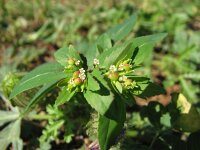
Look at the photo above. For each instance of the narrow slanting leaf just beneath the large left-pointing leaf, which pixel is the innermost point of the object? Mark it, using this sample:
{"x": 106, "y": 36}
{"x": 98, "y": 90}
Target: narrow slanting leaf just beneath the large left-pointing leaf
{"x": 44, "y": 90}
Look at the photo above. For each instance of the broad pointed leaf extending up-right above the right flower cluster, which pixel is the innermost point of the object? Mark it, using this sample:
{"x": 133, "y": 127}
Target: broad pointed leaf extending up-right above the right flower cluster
{"x": 127, "y": 50}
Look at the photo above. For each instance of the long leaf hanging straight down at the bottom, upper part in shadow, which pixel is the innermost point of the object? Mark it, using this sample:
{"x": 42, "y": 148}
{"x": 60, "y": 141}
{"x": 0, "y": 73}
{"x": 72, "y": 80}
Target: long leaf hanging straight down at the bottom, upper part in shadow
{"x": 109, "y": 130}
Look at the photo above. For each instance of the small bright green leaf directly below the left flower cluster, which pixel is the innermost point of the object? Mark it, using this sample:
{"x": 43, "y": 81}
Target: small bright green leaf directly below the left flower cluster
{"x": 64, "y": 96}
